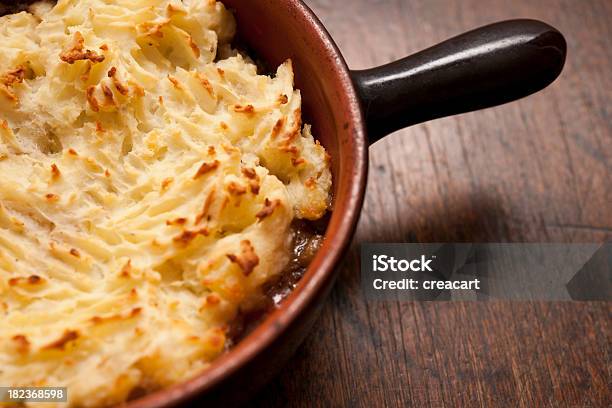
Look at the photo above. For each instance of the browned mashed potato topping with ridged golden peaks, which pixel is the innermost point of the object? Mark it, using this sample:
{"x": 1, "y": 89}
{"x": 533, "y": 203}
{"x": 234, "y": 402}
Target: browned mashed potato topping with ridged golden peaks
{"x": 148, "y": 179}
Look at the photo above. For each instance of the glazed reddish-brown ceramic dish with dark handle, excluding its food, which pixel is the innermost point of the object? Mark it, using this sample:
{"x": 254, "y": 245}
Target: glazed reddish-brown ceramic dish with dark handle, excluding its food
{"x": 485, "y": 67}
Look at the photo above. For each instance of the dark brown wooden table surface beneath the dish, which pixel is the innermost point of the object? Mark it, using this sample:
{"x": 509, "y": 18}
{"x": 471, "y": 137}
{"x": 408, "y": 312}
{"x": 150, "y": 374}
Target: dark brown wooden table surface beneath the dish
{"x": 537, "y": 170}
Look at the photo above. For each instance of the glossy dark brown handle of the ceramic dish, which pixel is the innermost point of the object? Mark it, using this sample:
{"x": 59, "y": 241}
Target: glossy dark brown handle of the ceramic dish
{"x": 485, "y": 67}
